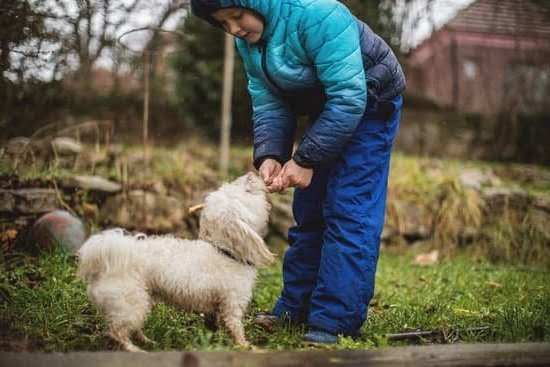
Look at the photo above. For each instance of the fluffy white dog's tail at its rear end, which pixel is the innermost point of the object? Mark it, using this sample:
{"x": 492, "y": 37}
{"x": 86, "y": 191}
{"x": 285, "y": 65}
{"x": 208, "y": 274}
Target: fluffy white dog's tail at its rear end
{"x": 107, "y": 252}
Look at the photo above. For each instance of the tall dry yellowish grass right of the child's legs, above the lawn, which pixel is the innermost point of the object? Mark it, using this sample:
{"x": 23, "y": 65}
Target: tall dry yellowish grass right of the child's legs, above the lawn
{"x": 460, "y": 217}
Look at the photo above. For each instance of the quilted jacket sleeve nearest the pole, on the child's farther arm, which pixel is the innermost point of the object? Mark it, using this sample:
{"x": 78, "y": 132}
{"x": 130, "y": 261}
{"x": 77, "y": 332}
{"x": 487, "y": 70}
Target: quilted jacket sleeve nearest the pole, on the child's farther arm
{"x": 274, "y": 124}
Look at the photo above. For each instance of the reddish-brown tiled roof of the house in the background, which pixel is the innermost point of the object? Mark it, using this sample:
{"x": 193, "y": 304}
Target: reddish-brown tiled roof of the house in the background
{"x": 517, "y": 17}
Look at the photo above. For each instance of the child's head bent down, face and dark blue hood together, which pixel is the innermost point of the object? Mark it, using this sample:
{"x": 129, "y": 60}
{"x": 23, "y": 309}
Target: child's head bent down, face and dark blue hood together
{"x": 239, "y": 18}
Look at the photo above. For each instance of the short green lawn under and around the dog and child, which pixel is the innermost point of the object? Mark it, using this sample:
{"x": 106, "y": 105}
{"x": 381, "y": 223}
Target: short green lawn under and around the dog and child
{"x": 44, "y": 307}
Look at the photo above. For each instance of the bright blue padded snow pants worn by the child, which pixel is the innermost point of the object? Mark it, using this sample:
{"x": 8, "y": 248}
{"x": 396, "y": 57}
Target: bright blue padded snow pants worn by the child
{"x": 329, "y": 268}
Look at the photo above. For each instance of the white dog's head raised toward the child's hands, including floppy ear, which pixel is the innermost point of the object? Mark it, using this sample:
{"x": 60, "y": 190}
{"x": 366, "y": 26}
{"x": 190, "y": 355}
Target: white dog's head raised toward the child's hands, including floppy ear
{"x": 236, "y": 217}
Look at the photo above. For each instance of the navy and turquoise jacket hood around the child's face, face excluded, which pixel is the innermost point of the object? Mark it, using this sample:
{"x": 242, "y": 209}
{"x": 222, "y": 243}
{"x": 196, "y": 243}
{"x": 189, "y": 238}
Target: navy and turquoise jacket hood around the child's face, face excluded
{"x": 269, "y": 11}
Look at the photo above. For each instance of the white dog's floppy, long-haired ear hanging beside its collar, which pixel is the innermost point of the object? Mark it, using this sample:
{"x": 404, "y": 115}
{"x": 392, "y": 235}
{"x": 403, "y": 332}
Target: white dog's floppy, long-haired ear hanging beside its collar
{"x": 247, "y": 244}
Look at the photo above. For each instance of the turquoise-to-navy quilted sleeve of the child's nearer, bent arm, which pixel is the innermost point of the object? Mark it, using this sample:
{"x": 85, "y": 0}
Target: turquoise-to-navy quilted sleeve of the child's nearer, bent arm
{"x": 330, "y": 37}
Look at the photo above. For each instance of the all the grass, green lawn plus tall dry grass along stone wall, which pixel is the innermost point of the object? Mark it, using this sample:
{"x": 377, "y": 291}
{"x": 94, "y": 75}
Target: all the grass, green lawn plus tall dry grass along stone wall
{"x": 44, "y": 307}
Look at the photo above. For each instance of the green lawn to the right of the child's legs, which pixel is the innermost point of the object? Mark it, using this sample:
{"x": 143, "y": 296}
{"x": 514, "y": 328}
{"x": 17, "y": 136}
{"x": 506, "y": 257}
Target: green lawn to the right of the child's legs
{"x": 512, "y": 301}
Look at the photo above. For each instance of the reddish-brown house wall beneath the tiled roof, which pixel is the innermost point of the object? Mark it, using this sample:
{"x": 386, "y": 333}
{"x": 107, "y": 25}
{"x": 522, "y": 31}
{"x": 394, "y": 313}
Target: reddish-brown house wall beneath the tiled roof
{"x": 473, "y": 72}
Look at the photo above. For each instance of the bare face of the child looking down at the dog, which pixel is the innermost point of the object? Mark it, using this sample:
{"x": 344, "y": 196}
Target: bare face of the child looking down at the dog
{"x": 240, "y": 22}
